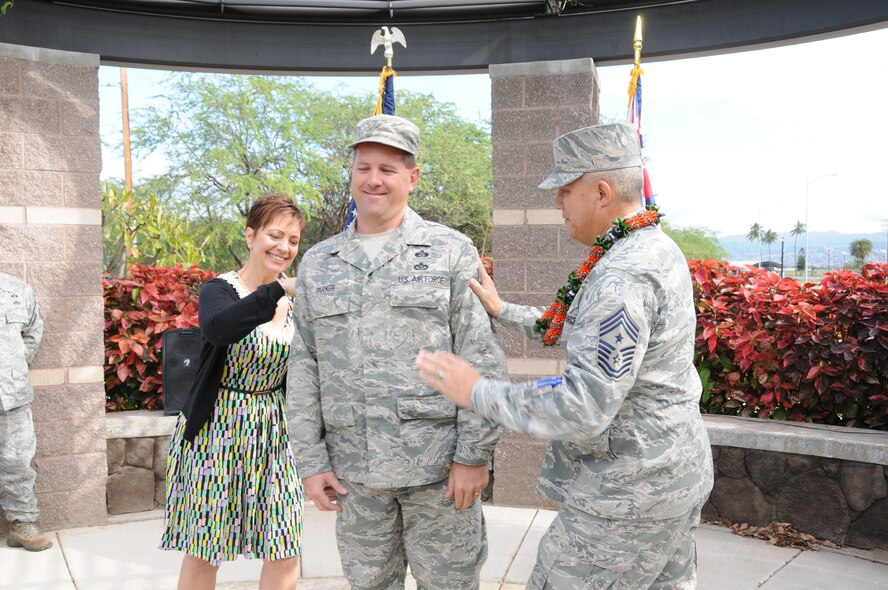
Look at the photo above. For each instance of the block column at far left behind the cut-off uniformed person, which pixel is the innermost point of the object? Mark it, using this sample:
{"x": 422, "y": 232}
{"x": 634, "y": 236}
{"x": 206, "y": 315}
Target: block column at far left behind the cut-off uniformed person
{"x": 51, "y": 236}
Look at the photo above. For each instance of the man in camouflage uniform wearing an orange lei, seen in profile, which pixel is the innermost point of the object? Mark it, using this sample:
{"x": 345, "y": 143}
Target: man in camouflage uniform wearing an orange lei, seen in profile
{"x": 629, "y": 460}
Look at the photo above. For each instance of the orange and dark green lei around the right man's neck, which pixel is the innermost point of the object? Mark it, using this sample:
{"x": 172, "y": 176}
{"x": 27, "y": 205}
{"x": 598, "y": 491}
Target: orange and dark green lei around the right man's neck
{"x": 551, "y": 323}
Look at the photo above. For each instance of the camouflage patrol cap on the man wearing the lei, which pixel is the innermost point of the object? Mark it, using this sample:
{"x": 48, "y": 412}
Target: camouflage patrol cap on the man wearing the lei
{"x": 593, "y": 149}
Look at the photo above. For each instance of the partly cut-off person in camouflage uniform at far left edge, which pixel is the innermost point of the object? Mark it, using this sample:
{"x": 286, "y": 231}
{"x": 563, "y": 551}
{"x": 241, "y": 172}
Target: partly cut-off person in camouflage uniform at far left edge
{"x": 21, "y": 328}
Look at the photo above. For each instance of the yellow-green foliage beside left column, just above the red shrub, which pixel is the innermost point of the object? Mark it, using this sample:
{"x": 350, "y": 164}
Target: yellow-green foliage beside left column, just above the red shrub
{"x": 136, "y": 227}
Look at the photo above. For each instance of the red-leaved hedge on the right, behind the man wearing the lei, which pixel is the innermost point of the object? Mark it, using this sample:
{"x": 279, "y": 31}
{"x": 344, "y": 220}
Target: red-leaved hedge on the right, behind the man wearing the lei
{"x": 772, "y": 348}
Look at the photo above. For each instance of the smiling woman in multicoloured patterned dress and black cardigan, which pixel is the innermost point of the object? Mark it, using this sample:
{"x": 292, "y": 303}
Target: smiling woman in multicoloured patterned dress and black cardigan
{"x": 232, "y": 486}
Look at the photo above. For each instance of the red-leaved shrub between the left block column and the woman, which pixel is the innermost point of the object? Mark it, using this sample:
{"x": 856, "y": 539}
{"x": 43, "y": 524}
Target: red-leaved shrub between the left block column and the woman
{"x": 138, "y": 310}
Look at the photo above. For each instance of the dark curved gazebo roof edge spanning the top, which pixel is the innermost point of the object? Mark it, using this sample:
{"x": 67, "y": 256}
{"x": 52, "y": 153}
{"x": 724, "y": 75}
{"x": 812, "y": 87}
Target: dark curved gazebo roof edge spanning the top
{"x": 333, "y": 36}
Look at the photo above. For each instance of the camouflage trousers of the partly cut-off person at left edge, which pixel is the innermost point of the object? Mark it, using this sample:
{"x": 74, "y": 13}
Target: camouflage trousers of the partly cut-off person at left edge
{"x": 18, "y": 444}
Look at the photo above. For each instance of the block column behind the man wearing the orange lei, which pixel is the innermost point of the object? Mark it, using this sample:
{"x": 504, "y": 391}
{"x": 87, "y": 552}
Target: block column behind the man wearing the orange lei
{"x": 533, "y": 103}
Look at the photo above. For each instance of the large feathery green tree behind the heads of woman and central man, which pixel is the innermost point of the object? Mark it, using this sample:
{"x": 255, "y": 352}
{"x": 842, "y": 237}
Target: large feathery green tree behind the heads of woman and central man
{"x": 230, "y": 138}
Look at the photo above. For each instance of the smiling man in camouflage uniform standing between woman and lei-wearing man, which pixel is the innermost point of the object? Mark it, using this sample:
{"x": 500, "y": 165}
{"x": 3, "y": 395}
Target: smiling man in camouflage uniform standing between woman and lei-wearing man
{"x": 402, "y": 465}
